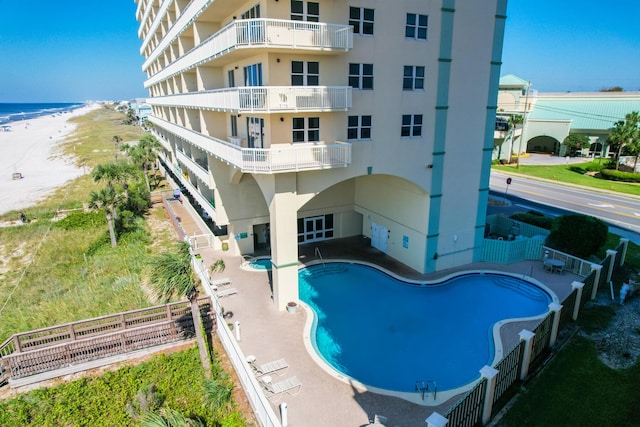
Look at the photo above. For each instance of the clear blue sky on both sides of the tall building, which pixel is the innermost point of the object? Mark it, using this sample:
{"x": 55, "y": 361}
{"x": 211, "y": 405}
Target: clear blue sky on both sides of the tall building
{"x": 72, "y": 50}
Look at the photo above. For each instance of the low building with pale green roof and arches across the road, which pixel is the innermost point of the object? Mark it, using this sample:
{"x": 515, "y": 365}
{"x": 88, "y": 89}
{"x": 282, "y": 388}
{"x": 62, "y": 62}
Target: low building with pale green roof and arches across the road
{"x": 552, "y": 116}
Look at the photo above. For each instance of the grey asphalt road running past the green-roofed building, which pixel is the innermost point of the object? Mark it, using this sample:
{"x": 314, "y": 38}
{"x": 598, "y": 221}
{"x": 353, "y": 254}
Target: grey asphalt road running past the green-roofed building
{"x": 551, "y": 198}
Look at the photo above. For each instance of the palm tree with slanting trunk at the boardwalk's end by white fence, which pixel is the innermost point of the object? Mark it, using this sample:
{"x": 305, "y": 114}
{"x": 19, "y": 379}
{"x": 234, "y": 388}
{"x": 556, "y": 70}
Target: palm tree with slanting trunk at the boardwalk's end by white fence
{"x": 171, "y": 274}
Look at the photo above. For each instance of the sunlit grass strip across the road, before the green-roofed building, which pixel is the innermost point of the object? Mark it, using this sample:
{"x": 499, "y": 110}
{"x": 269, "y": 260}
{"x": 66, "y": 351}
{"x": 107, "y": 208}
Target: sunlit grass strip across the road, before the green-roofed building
{"x": 564, "y": 173}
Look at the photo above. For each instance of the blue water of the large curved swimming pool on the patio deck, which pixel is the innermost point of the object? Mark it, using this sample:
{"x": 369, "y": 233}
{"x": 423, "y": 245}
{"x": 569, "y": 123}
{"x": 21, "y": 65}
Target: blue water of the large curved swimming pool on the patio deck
{"x": 386, "y": 333}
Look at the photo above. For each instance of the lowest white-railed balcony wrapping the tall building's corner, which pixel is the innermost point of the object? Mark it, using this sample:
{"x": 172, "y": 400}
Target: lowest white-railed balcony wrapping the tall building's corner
{"x": 279, "y": 159}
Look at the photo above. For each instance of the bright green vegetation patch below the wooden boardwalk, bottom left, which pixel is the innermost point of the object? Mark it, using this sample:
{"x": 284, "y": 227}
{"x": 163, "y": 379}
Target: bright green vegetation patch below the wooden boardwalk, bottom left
{"x": 114, "y": 398}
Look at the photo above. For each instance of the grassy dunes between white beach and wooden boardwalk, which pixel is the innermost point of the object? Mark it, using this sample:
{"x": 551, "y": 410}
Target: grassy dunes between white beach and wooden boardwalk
{"x": 50, "y": 275}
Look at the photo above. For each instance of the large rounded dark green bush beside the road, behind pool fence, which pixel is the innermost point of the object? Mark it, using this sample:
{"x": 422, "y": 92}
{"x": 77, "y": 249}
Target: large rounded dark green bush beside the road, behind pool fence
{"x": 578, "y": 235}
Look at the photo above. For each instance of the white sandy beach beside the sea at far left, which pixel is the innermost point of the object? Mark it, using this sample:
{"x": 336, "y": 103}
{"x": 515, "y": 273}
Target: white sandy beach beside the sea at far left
{"x": 31, "y": 149}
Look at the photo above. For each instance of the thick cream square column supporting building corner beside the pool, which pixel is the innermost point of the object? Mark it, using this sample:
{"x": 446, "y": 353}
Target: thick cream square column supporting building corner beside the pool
{"x": 284, "y": 240}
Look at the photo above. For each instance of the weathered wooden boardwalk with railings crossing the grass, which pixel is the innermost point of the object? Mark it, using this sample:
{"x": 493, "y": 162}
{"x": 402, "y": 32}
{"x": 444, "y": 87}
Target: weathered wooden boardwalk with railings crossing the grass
{"x": 60, "y": 346}
